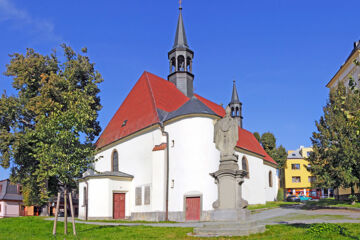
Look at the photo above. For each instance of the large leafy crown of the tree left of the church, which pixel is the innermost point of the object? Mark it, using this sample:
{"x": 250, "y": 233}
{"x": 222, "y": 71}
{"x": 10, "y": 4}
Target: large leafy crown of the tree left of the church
{"x": 47, "y": 128}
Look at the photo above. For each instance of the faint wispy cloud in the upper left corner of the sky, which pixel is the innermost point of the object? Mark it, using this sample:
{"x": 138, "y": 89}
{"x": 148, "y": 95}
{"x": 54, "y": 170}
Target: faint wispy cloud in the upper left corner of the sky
{"x": 21, "y": 20}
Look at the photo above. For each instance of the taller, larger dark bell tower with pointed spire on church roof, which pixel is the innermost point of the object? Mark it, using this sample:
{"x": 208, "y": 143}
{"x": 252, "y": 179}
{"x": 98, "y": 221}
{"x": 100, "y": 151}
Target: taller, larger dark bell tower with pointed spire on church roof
{"x": 180, "y": 61}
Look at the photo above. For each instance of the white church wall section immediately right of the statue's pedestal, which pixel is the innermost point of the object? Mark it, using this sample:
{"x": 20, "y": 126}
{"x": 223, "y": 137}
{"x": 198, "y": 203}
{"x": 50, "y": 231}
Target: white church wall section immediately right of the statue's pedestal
{"x": 253, "y": 188}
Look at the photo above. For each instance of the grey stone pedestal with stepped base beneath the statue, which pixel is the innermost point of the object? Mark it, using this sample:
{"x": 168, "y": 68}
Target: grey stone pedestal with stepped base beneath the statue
{"x": 230, "y": 216}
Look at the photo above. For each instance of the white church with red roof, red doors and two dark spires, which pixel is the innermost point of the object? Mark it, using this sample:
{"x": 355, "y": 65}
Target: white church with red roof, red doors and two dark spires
{"x": 157, "y": 152}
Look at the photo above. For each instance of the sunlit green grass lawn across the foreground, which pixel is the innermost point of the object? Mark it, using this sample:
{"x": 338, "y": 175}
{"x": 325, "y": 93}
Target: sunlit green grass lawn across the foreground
{"x": 38, "y": 228}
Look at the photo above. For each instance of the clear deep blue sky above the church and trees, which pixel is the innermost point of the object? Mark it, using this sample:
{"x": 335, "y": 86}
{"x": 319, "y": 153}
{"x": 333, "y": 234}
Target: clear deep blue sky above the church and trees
{"x": 281, "y": 53}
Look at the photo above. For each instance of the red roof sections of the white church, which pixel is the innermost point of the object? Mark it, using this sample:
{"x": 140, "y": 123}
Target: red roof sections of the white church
{"x": 151, "y": 93}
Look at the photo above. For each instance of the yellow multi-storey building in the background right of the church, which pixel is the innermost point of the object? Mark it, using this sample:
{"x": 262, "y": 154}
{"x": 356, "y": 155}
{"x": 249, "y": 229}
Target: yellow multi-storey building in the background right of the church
{"x": 298, "y": 179}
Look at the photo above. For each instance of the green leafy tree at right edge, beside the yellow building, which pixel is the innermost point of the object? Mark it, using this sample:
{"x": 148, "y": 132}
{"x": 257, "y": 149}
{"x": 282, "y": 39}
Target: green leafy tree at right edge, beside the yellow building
{"x": 335, "y": 160}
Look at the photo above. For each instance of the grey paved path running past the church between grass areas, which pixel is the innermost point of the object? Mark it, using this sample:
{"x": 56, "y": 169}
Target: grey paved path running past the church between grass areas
{"x": 268, "y": 217}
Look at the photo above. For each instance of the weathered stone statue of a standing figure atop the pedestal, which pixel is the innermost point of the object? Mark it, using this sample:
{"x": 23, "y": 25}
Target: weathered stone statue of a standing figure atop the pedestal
{"x": 226, "y": 134}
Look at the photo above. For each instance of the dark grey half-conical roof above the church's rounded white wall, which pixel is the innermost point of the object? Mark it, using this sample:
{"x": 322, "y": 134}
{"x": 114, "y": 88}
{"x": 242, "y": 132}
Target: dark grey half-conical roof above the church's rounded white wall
{"x": 192, "y": 106}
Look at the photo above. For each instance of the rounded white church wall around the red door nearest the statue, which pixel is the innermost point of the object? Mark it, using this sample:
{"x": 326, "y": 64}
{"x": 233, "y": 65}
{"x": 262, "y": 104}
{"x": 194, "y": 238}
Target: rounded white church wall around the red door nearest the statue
{"x": 192, "y": 157}
